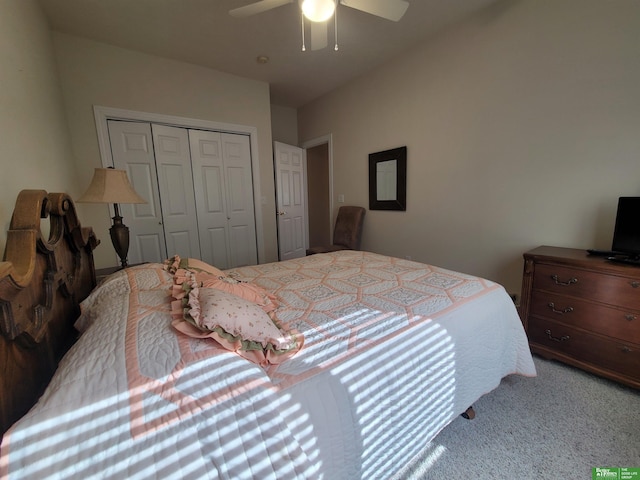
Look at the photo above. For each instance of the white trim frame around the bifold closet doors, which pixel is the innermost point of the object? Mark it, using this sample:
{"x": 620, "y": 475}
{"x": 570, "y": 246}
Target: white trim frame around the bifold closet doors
{"x": 103, "y": 114}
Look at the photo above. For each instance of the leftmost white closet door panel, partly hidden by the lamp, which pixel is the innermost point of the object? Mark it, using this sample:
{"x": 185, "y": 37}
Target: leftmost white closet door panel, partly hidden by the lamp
{"x": 132, "y": 150}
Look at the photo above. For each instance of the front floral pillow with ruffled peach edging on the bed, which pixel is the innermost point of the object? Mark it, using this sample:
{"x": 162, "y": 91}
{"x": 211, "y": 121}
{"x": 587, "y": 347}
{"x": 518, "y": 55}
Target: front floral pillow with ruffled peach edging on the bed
{"x": 235, "y": 323}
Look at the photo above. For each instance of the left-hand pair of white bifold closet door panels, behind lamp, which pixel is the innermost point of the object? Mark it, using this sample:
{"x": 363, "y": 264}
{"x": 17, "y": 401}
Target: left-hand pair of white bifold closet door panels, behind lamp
{"x": 158, "y": 162}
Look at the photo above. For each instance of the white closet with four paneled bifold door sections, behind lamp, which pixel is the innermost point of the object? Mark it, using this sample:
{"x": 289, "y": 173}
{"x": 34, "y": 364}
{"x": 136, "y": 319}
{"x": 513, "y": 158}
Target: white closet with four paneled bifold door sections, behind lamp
{"x": 199, "y": 189}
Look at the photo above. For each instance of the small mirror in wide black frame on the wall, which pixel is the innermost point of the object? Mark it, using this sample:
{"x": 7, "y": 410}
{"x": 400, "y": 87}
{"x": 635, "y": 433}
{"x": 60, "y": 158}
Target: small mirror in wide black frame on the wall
{"x": 388, "y": 180}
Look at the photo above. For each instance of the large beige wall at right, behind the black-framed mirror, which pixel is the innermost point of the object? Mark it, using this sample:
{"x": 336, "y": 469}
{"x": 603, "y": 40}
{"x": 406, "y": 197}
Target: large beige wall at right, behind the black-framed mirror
{"x": 522, "y": 126}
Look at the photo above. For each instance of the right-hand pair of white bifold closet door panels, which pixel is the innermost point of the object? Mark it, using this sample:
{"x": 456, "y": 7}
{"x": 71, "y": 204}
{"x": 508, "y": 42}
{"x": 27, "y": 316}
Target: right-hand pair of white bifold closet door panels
{"x": 223, "y": 186}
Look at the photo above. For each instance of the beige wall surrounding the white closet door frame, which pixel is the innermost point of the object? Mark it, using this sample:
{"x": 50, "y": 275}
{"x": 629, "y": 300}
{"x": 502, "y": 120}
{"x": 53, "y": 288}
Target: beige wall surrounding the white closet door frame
{"x": 93, "y": 73}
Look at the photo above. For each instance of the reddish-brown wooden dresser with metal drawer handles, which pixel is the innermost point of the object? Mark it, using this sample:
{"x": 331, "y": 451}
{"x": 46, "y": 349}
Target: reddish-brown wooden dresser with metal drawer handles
{"x": 584, "y": 311}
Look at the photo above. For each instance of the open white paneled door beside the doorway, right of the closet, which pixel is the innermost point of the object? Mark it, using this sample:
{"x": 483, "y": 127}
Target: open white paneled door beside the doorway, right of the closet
{"x": 291, "y": 197}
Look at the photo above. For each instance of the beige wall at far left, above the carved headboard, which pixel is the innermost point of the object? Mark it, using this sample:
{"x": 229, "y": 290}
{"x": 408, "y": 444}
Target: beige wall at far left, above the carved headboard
{"x": 35, "y": 151}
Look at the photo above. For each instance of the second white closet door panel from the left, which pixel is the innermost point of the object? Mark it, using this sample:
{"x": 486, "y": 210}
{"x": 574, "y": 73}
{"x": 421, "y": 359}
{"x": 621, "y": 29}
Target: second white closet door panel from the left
{"x": 175, "y": 183}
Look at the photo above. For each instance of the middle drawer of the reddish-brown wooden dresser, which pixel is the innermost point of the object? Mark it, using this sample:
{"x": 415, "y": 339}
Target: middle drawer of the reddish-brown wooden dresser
{"x": 600, "y": 318}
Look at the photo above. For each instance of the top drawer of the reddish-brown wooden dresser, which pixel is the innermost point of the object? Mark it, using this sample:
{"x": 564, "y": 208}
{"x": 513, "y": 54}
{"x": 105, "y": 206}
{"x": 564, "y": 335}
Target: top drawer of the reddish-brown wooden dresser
{"x": 610, "y": 289}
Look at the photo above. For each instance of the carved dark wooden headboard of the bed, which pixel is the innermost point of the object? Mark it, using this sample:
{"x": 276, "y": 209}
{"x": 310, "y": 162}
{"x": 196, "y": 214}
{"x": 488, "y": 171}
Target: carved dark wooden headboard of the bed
{"x": 42, "y": 282}
